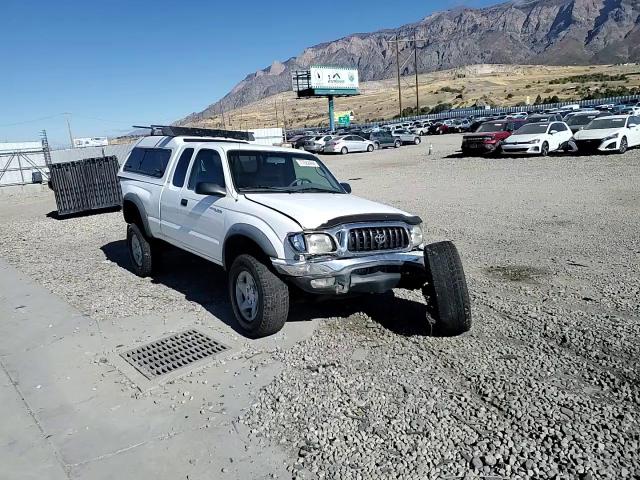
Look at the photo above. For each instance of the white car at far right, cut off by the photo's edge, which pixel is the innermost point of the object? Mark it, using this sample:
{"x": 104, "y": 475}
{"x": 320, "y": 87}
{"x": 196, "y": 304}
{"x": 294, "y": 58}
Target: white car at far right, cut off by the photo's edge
{"x": 614, "y": 133}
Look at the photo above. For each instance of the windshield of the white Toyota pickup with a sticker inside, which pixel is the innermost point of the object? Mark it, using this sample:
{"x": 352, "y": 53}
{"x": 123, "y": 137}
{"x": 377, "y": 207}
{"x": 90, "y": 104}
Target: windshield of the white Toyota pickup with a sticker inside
{"x": 263, "y": 171}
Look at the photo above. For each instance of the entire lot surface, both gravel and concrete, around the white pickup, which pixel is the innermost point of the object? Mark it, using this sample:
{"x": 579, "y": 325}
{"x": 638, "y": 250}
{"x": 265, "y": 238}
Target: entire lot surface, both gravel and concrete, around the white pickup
{"x": 546, "y": 384}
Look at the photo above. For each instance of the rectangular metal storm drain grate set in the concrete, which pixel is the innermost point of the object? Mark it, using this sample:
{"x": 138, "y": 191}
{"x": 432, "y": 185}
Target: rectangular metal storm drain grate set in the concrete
{"x": 172, "y": 353}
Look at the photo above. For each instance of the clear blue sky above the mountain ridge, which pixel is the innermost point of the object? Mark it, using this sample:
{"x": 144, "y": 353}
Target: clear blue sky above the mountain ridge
{"x": 115, "y": 63}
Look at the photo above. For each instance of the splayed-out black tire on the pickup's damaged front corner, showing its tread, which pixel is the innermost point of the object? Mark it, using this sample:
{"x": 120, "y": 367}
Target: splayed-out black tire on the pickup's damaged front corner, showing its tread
{"x": 446, "y": 289}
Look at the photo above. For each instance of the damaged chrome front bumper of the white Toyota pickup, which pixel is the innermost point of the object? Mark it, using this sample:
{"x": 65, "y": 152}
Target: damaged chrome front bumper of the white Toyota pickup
{"x": 375, "y": 273}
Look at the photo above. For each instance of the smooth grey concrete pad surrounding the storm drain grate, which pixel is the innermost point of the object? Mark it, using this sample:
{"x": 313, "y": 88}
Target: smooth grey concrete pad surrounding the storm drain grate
{"x": 101, "y": 420}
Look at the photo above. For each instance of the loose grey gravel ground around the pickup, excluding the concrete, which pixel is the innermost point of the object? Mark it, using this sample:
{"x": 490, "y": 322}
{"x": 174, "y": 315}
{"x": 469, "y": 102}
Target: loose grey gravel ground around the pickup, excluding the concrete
{"x": 546, "y": 384}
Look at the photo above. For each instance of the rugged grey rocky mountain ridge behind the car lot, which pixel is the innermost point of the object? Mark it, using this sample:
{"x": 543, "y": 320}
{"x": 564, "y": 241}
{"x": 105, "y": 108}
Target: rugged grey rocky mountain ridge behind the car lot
{"x": 553, "y": 32}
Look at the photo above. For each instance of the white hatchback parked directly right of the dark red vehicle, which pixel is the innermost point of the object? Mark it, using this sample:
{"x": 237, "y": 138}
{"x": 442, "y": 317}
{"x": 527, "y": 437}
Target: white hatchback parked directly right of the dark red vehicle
{"x": 538, "y": 138}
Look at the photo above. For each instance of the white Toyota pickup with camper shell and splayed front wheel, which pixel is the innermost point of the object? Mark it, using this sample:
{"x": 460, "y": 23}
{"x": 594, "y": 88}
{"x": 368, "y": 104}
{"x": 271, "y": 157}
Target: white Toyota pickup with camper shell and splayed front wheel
{"x": 276, "y": 219}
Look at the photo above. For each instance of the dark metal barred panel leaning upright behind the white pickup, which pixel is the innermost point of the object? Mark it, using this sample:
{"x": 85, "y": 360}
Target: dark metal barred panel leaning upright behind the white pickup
{"x": 85, "y": 185}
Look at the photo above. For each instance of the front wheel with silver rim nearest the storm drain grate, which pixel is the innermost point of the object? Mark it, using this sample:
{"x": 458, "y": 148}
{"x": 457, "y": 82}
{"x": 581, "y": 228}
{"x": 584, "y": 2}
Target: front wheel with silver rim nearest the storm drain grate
{"x": 270, "y": 295}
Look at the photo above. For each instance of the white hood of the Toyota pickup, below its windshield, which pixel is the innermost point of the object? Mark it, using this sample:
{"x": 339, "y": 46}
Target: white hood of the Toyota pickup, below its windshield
{"x": 312, "y": 210}
